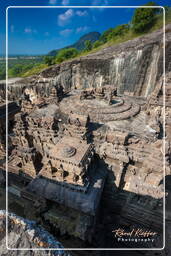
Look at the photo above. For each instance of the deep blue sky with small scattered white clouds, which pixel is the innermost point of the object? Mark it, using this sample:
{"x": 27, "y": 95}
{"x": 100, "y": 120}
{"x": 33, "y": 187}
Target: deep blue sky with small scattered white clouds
{"x": 35, "y": 31}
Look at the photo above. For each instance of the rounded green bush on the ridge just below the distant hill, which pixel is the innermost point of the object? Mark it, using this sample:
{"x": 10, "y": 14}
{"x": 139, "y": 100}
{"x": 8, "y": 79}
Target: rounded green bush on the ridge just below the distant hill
{"x": 66, "y": 54}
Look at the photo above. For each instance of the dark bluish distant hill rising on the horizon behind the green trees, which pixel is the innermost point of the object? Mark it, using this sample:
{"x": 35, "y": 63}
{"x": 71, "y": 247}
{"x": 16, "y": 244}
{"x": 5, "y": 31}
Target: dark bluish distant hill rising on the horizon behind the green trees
{"x": 79, "y": 45}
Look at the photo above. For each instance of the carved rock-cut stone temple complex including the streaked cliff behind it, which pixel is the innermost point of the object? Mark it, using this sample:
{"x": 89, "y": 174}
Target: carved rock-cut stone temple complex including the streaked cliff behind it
{"x": 86, "y": 157}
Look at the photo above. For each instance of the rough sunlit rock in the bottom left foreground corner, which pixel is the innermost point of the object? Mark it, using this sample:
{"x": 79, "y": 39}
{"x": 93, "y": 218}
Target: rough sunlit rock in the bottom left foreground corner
{"x": 23, "y": 233}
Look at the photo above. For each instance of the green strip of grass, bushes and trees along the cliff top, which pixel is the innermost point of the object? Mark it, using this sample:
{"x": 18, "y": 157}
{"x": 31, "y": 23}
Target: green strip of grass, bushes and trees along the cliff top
{"x": 143, "y": 22}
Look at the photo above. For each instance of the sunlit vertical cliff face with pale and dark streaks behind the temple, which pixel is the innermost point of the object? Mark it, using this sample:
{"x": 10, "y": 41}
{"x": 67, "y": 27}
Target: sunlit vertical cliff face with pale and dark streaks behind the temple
{"x": 134, "y": 66}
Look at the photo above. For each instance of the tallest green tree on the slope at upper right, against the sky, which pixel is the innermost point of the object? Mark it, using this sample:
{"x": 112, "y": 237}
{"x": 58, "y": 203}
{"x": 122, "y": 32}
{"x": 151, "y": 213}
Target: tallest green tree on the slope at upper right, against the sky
{"x": 144, "y": 18}
